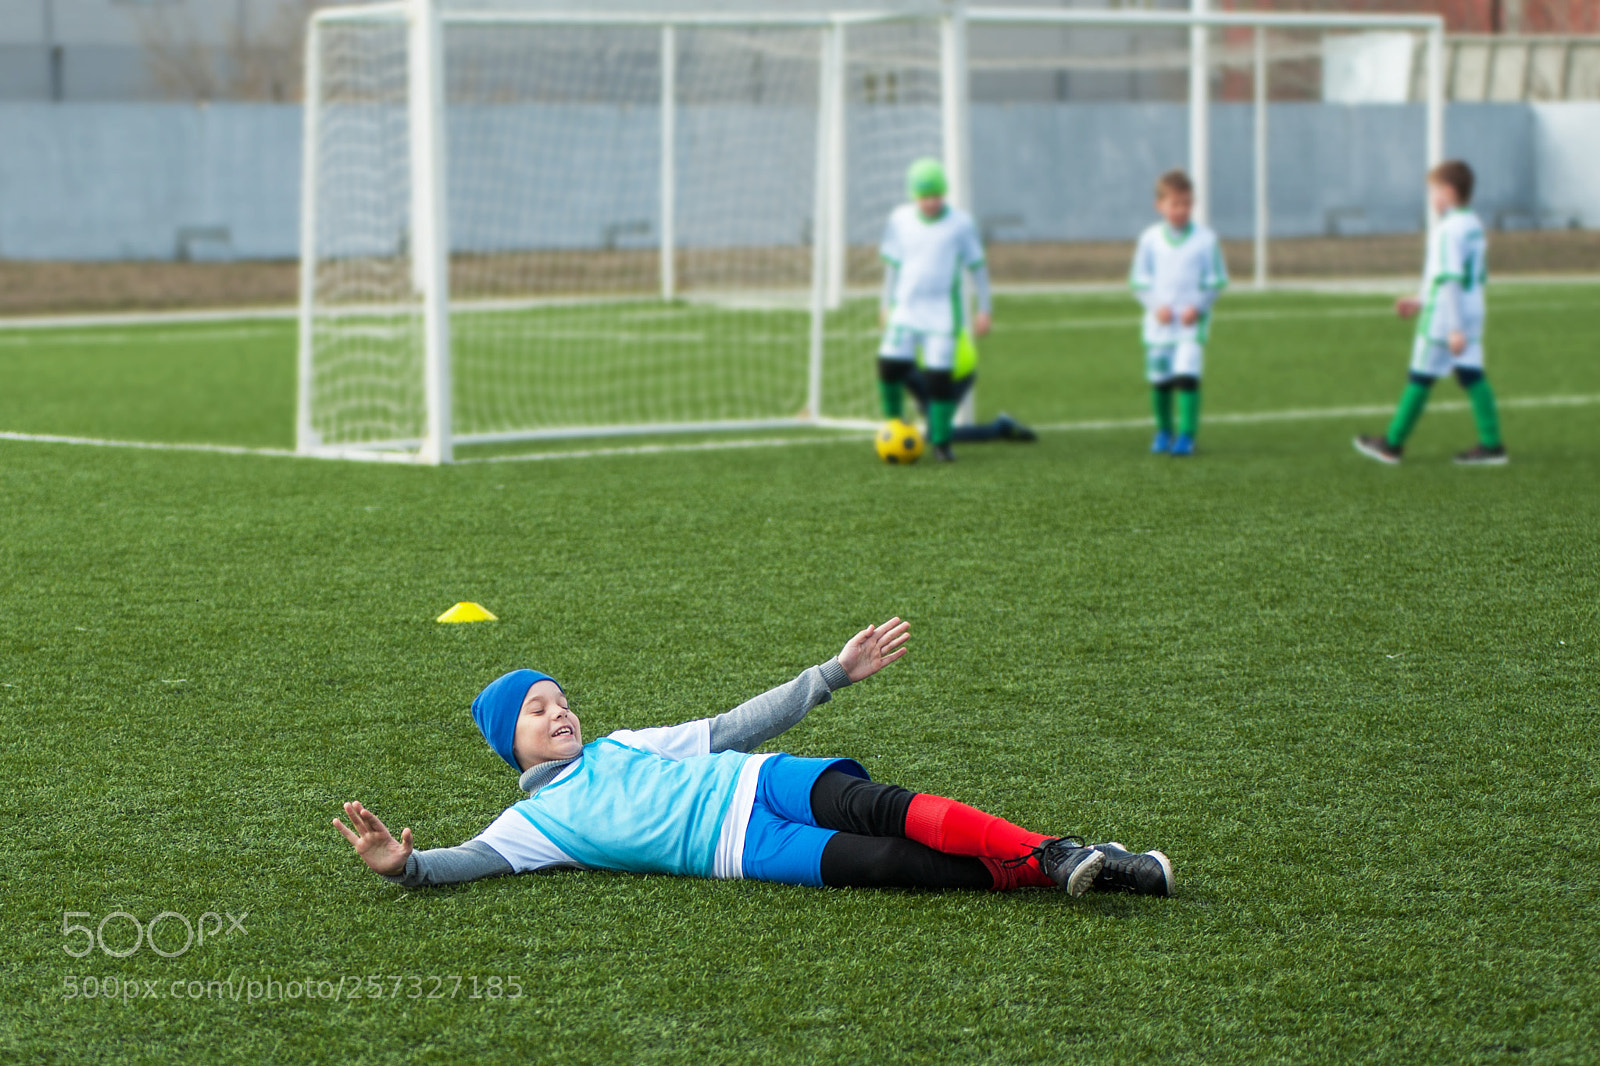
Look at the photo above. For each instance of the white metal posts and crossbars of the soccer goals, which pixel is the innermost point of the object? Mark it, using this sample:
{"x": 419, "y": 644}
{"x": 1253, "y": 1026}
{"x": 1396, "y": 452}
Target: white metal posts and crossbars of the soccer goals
{"x": 425, "y": 22}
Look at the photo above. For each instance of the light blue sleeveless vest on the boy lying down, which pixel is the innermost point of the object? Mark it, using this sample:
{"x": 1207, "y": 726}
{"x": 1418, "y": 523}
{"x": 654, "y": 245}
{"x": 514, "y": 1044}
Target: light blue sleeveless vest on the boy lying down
{"x": 633, "y": 811}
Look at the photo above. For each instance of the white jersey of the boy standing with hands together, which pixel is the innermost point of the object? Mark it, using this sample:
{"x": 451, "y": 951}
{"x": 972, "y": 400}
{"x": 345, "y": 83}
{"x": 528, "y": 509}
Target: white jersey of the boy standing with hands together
{"x": 1177, "y": 270}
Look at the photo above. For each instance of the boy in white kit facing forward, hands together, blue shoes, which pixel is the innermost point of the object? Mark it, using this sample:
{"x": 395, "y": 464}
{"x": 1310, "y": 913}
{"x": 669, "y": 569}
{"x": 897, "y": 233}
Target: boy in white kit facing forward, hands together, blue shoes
{"x": 1177, "y": 275}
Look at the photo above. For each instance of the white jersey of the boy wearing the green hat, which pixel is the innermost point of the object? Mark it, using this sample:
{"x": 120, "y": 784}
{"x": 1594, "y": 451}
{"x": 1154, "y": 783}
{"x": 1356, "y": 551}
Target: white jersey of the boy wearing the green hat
{"x": 927, "y": 260}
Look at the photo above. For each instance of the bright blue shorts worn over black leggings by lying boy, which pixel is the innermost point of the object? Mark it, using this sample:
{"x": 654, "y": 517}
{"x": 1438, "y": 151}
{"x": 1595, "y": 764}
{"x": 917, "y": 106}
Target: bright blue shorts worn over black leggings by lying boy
{"x": 783, "y": 841}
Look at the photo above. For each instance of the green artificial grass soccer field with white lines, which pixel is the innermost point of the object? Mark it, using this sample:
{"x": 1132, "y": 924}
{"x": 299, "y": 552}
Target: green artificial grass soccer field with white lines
{"x": 1356, "y": 705}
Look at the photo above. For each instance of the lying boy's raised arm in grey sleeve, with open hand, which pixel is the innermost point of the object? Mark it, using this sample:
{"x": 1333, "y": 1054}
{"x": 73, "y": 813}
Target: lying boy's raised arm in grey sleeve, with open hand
{"x": 761, "y": 719}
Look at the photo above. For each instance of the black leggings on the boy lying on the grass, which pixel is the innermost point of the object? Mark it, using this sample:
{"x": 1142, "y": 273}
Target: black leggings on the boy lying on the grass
{"x": 871, "y": 849}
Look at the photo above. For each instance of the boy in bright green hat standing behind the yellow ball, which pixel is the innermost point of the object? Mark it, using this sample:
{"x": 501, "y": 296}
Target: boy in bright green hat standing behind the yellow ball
{"x": 929, "y": 247}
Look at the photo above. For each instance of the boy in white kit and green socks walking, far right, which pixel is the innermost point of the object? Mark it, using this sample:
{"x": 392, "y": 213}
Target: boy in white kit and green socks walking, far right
{"x": 1450, "y": 324}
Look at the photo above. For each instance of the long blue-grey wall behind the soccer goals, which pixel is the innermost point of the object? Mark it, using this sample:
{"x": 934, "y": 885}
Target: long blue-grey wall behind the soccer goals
{"x": 156, "y": 182}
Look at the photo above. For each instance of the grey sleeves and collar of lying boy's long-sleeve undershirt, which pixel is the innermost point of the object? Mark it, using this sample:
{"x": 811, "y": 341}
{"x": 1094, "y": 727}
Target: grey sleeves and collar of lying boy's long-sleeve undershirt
{"x": 743, "y": 729}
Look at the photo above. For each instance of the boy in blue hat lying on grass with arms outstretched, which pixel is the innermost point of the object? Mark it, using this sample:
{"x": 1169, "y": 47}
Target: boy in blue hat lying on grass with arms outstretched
{"x": 690, "y": 799}
